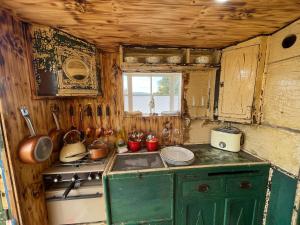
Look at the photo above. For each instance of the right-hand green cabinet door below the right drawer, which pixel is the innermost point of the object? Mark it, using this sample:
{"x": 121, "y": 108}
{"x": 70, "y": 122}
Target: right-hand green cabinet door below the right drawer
{"x": 241, "y": 211}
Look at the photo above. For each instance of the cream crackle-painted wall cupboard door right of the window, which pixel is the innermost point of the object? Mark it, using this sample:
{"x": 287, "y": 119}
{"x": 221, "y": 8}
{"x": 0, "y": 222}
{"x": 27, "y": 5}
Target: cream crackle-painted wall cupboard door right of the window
{"x": 242, "y": 68}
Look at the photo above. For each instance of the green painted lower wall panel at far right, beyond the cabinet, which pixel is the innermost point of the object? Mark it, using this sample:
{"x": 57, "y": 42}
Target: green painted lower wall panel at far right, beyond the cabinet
{"x": 283, "y": 191}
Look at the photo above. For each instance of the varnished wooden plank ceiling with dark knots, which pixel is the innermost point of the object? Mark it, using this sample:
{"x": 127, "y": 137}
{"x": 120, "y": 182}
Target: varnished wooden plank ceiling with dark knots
{"x": 194, "y": 23}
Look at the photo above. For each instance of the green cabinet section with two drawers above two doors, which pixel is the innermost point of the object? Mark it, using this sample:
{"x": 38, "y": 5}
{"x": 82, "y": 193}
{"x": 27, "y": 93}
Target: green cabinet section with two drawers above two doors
{"x": 221, "y": 196}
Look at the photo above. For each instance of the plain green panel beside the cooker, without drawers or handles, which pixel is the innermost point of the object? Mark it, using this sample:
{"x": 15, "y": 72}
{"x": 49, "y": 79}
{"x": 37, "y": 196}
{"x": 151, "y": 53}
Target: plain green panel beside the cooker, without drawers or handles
{"x": 143, "y": 198}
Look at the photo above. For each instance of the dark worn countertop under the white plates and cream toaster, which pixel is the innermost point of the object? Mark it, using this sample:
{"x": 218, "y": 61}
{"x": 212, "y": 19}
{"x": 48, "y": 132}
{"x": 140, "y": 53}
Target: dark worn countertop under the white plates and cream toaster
{"x": 205, "y": 156}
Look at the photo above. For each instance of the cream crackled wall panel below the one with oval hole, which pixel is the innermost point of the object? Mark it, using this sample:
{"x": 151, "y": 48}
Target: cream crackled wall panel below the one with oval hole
{"x": 282, "y": 94}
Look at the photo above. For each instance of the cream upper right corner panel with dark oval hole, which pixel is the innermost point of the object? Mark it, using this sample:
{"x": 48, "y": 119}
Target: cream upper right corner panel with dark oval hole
{"x": 281, "y": 43}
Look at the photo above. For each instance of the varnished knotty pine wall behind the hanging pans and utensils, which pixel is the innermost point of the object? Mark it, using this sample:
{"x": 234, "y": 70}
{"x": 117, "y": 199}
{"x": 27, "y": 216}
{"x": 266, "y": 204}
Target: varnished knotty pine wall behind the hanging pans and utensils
{"x": 15, "y": 91}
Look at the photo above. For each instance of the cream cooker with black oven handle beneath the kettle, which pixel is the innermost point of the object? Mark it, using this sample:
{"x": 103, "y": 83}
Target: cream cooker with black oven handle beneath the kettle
{"x": 74, "y": 192}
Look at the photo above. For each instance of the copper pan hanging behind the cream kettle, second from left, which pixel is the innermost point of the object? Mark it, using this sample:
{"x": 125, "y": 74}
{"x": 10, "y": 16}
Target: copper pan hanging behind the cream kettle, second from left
{"x": 56, "y": 134}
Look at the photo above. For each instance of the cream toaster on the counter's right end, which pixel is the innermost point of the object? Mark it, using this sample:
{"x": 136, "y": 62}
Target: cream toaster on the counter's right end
{"x": 226, "y": 138}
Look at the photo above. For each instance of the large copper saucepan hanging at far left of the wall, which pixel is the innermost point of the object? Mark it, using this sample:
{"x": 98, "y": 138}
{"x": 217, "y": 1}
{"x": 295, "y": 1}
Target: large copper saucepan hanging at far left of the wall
{"x": 36, "y": 148}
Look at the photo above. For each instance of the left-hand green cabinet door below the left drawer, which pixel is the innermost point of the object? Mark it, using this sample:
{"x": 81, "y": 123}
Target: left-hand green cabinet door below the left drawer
{"x": 201, "y": 211}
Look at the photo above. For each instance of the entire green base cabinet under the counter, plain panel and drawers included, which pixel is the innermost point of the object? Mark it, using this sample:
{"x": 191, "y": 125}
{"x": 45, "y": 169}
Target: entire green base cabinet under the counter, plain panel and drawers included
{"x": 223, "y": 195}
